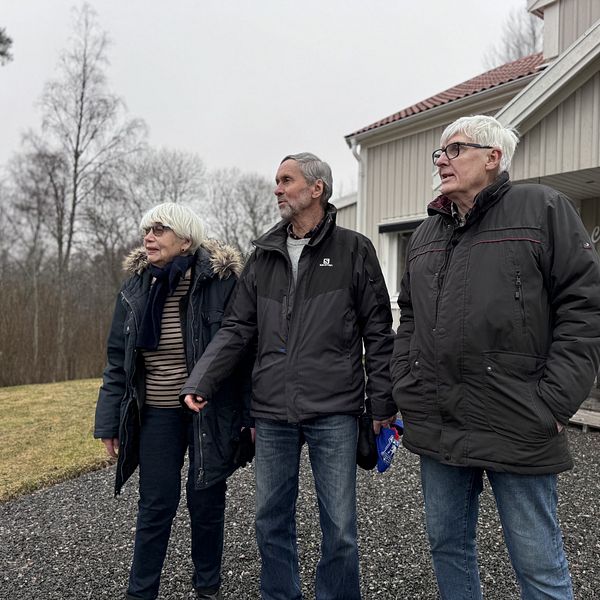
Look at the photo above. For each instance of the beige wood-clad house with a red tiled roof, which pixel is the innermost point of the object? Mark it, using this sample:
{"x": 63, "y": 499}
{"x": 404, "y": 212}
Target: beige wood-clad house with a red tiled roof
{"x": 551, "y": 98}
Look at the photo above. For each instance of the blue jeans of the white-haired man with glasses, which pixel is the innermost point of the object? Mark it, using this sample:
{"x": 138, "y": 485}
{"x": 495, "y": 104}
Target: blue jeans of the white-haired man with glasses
{"x": 527, "y": 510}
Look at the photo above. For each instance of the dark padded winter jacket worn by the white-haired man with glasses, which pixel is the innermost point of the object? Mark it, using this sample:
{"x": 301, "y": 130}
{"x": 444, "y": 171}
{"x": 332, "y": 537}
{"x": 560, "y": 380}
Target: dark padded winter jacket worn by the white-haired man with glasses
{"x": 499, "y": 337}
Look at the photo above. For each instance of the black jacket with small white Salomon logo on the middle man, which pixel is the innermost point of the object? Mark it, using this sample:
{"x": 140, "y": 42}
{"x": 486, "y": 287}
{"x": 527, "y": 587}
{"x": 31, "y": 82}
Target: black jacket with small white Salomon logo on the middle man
{"x": 309, "y": 336}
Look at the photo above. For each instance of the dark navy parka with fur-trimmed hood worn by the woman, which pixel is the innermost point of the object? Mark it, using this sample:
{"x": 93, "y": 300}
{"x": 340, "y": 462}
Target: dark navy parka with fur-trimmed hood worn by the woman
{"x": 122, "y": 393}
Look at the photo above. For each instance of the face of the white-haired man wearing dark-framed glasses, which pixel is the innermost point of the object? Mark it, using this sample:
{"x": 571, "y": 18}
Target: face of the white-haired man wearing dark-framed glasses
{"x": 463, "y": 177}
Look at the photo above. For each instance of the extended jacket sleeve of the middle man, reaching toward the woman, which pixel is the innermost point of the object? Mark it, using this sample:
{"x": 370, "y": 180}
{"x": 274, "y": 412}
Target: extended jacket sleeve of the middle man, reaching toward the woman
{"x": 232, "y": 342}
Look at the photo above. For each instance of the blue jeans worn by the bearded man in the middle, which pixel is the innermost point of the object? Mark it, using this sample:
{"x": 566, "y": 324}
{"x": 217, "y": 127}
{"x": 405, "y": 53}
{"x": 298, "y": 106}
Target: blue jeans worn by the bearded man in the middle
{"x": 331, "y": 442}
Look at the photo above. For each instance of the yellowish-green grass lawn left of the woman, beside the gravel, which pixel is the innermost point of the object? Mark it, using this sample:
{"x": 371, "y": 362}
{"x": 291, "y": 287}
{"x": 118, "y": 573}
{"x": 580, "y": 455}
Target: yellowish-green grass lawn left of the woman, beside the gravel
{"x": 46, "y": 435}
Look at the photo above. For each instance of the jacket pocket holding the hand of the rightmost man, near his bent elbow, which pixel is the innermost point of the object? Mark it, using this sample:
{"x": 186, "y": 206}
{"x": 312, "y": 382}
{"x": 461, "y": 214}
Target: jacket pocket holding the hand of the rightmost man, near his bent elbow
{"x": 514, "y": 409}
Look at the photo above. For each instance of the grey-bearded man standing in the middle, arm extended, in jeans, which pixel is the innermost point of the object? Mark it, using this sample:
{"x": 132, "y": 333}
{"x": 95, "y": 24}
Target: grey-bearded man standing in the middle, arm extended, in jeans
{"x": 310, "y": 296}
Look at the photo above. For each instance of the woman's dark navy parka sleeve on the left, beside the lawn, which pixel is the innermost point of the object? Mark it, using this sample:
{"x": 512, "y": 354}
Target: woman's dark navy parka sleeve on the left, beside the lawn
{"x": 113, "y": 385}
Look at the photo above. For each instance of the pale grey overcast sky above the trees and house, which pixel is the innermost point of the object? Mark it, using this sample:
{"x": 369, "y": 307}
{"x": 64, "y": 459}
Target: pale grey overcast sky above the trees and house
{"x": 244, "y": 82}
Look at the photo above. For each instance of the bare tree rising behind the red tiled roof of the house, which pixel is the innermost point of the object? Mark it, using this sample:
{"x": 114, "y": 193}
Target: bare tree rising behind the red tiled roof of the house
{"x": 522, "y": 35}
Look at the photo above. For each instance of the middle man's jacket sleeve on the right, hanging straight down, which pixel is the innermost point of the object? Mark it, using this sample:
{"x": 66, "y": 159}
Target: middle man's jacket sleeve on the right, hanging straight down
{"x": 375, "y": 322}
